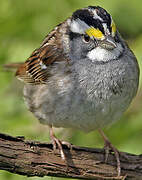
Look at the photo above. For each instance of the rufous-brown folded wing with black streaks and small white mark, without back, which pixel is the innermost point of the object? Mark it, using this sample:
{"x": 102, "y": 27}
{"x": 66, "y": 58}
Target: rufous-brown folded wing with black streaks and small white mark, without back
{"x": 36, "y": 69}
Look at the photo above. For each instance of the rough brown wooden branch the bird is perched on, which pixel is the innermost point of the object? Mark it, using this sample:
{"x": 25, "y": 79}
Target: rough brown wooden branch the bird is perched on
{"x": 32, "y": 158}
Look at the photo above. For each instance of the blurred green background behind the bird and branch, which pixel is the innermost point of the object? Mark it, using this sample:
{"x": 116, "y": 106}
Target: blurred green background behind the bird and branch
{"x": 23, "y": 25}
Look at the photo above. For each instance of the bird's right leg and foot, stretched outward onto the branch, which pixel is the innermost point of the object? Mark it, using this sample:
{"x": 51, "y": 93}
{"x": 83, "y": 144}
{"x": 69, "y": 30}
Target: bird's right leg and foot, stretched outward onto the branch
{"x": 108, "y": 146}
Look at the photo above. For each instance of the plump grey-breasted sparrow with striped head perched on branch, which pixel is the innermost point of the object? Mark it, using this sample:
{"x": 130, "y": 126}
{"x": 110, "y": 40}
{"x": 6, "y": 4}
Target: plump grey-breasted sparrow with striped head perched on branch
{"x": 83, "y": 76}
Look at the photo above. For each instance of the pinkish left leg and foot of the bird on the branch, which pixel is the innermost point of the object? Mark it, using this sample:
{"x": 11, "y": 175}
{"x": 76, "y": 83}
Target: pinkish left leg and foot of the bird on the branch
{"x": 57, "y": 143}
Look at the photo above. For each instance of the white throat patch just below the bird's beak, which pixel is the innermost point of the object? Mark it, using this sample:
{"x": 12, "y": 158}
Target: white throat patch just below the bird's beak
{"x": 100, "y": 54}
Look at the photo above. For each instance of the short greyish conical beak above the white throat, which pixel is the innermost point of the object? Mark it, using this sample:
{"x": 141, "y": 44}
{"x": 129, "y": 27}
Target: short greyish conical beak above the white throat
{"x": 108, "y": 43}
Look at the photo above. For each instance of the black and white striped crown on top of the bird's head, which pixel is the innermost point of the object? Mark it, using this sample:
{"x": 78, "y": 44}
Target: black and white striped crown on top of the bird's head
{"x": 91, "y": 17}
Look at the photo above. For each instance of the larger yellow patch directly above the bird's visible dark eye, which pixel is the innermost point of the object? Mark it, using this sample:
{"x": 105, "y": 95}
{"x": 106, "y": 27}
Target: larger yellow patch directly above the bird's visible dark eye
{"x": 92, "y": 32}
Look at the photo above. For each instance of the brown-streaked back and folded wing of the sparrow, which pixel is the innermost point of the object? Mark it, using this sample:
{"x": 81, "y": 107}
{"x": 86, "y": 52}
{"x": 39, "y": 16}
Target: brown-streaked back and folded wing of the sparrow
{"x": 36, "y": 69}
